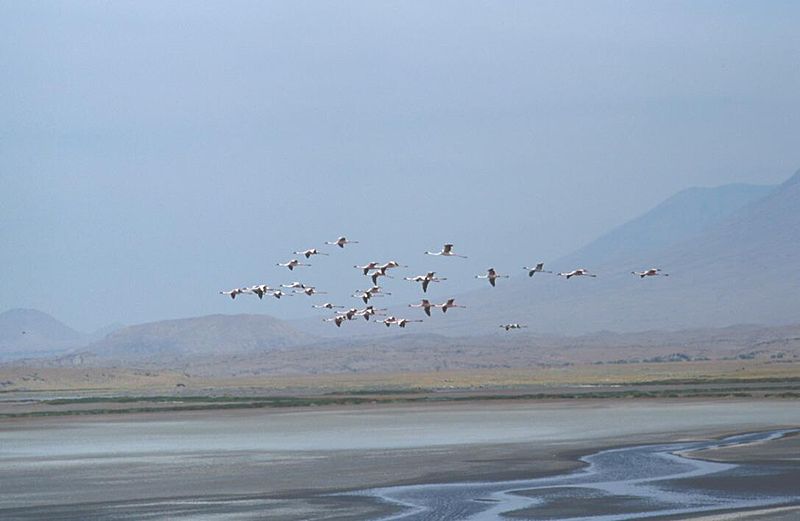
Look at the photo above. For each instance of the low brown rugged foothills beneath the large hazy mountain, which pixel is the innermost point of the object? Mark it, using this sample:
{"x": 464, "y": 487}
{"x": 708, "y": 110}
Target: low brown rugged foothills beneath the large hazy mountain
{"x": 421, "y": 353}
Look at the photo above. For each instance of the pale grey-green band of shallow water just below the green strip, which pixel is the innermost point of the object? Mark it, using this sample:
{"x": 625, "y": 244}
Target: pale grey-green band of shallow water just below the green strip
{"x": 377, "y": 428}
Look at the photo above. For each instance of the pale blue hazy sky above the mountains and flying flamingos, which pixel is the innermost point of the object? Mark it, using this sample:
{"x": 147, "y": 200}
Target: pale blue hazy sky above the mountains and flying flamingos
{"x": 153, "y": 153}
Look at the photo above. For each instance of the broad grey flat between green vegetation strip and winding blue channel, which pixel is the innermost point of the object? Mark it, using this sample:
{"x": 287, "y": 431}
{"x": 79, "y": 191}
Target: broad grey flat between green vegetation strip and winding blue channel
{"x": 282, "y": 464}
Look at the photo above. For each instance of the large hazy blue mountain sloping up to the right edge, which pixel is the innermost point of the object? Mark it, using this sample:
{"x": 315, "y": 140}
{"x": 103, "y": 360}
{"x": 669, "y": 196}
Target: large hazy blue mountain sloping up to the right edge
{"x": 735, "y": 266}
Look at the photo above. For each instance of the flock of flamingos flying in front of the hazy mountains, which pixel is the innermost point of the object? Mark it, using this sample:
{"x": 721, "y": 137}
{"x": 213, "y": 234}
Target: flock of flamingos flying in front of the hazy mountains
{"x": 375, "y": 270}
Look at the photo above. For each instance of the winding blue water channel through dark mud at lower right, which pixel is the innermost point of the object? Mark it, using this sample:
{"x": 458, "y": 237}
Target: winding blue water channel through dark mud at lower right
{"x": 620, "y": 484}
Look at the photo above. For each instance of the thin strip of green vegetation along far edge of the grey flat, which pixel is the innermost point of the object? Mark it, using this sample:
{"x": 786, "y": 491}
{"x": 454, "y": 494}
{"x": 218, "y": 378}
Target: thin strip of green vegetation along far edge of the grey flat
{"x": 114, "y": 405}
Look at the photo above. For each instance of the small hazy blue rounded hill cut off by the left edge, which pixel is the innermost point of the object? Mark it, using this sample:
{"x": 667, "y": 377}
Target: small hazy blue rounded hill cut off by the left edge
{"x": 29, "y": 332}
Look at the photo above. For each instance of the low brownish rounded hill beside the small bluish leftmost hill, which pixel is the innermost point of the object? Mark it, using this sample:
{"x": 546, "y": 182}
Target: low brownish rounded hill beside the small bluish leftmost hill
{"x": 174, "y": 340}
